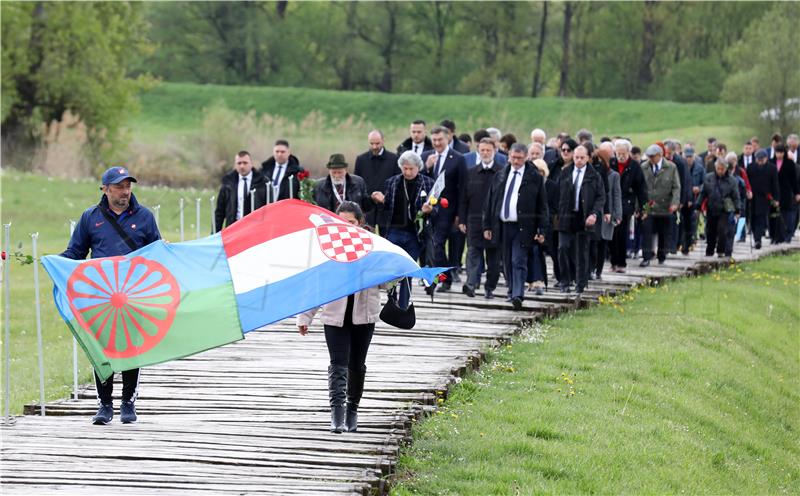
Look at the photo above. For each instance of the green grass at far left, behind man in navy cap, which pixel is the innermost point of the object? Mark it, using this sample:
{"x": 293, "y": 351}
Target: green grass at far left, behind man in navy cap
{"x": 34, "y": 203}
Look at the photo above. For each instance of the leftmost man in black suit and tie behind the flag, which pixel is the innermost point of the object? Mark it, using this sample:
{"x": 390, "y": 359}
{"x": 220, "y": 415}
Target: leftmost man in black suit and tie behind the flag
{"x": 242, "y": 191}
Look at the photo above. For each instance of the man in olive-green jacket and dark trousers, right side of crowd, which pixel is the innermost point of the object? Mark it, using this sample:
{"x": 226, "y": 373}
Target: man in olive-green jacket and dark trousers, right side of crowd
{"x": 664, "y": 194}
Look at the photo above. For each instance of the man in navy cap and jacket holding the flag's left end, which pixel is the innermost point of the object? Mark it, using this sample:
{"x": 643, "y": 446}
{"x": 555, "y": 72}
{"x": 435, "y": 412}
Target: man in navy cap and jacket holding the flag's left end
{"x": 116, "y": 226}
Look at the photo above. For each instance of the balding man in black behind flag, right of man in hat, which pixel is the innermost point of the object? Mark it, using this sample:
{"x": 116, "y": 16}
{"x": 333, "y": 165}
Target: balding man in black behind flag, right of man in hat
{"x": 375, "y": 166}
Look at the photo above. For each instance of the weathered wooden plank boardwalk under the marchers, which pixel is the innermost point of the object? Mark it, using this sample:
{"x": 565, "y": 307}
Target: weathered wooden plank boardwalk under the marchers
{"x": 252, "y": 417}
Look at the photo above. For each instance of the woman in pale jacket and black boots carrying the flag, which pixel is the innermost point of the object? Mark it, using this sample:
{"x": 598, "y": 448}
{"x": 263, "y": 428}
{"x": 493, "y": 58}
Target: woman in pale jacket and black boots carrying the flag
{"x": 349, "y": 323}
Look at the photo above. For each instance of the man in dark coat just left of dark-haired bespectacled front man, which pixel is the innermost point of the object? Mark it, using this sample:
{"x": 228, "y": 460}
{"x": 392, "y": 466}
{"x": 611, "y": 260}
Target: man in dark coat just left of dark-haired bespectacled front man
{"x": 480, "y": 252}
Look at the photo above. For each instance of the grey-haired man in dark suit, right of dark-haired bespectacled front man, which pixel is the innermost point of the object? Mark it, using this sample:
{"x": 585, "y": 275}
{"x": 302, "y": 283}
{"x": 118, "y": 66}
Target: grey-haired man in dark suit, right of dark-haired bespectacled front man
{"x": 580, "y": 206}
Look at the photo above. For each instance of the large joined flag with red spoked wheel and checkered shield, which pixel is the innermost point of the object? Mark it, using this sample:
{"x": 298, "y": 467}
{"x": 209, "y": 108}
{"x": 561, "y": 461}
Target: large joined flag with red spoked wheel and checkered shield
{"x": 170, "y": 300}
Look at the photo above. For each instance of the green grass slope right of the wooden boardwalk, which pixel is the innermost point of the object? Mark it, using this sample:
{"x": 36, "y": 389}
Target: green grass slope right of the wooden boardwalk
{"x": 688, "y": 388}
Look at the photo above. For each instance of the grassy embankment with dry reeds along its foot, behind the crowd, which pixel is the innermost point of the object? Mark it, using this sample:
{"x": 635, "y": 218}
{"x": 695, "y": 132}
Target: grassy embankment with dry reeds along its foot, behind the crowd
{"x": 173, "y": 126}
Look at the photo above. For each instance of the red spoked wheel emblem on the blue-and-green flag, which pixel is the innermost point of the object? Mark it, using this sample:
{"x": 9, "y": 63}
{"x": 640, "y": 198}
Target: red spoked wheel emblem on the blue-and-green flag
{"x": 127, "y": 305}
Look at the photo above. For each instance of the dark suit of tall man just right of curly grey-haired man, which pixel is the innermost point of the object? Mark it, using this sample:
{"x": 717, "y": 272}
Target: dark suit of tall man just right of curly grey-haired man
{"x": 444, "y": 229}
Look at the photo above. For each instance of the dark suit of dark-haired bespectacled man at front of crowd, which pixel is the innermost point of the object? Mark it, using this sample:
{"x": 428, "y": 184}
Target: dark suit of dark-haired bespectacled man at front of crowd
{"x": 517, "y": 237}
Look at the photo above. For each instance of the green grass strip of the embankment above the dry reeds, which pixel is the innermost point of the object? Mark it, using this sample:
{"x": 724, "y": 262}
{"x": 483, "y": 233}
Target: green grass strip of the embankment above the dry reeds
{"x": 179, "y": 107}
